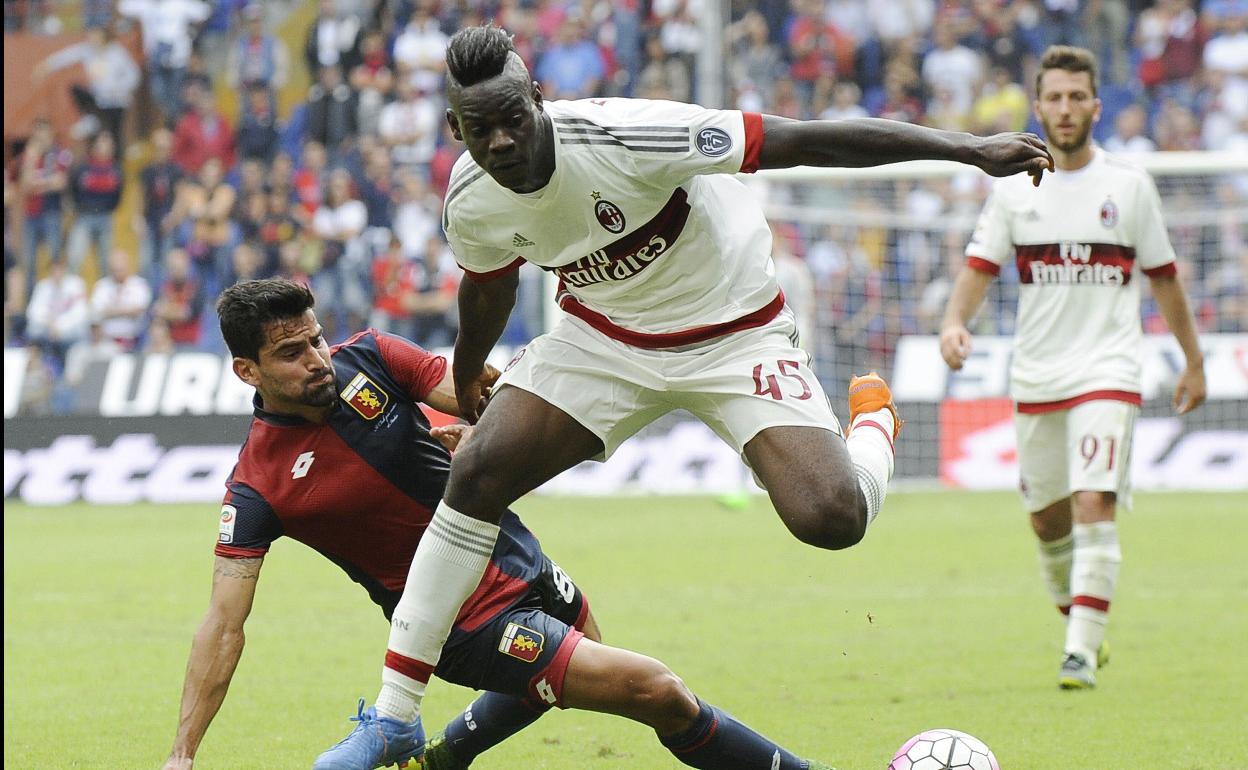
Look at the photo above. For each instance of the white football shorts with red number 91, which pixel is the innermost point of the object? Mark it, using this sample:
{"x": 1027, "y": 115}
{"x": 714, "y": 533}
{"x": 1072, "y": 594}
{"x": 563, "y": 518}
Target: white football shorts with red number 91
{"x": 1086, "y": 449}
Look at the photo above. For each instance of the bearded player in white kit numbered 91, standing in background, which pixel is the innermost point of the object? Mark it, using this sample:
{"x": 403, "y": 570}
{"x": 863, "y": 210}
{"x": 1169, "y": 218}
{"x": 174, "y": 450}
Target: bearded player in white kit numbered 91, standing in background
{"x": 1075, "y": 376}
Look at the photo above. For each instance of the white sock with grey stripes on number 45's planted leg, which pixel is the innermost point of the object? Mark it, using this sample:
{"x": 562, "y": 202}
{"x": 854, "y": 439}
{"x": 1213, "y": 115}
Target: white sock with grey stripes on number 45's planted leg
{"x": 446, "y": 570}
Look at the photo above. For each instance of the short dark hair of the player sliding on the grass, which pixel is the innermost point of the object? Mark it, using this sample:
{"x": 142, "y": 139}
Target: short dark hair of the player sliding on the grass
{"x": 249, "y": 306}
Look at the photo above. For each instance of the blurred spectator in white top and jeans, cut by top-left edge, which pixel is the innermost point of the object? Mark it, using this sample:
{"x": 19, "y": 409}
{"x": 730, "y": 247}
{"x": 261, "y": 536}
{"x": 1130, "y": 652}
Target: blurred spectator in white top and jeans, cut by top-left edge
{"x": 168, "y": 29}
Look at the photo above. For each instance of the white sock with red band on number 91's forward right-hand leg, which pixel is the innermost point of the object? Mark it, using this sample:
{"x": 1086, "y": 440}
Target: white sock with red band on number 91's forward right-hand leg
{"x": 1094, "y": 578}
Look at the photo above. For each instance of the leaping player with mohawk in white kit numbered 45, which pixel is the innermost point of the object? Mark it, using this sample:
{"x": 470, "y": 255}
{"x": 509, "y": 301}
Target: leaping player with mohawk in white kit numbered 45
{"x": 671, "y": 303}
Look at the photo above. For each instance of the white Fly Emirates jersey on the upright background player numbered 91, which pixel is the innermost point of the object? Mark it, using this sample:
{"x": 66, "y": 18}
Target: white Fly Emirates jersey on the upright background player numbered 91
{"x": 1076, "y": 240}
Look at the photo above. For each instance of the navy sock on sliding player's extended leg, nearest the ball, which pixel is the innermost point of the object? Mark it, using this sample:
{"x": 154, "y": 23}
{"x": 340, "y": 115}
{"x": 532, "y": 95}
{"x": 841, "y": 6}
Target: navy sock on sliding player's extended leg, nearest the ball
{"x": 717, "y": 742}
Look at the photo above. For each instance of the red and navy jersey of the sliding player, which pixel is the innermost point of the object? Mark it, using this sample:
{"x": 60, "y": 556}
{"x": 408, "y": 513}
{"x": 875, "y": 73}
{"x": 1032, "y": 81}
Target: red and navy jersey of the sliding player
{"x": 363, "y": 487}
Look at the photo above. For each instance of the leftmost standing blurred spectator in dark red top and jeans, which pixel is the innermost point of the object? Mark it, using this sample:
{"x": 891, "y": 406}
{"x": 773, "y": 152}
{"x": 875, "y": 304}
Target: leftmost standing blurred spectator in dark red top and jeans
{"x": 42, "y": 182}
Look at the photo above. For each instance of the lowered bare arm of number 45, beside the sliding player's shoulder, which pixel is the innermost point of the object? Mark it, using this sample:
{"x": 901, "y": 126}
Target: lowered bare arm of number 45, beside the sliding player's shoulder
{"x": 484, "y": 311}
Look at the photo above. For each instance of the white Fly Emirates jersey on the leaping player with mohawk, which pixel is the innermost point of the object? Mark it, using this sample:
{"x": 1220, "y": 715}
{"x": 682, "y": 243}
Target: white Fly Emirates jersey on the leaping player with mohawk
{"x": 653, "y": 240}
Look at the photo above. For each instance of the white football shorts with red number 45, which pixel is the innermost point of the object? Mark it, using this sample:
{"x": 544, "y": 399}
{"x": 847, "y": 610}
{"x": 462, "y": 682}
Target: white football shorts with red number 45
{"x": 738, "y": 385}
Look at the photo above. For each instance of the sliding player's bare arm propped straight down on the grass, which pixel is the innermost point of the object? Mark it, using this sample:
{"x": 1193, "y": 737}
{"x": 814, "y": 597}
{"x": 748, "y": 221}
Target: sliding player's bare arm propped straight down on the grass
{"x": 215, "y": 655}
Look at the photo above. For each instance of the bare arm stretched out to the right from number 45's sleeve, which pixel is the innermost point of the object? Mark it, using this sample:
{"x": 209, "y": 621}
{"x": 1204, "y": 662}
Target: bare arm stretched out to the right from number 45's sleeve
{"x": 873, "y": 142}
